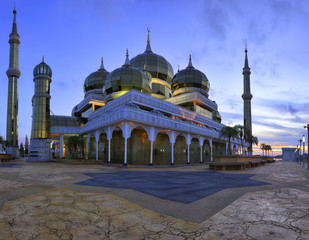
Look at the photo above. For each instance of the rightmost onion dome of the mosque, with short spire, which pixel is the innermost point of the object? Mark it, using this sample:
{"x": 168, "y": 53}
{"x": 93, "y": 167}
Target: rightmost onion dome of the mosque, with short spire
{"x": 189, "y": 80}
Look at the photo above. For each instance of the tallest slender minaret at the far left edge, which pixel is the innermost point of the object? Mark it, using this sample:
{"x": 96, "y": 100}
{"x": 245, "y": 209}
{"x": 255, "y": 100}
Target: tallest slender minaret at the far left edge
{"x": 13, "y": 74}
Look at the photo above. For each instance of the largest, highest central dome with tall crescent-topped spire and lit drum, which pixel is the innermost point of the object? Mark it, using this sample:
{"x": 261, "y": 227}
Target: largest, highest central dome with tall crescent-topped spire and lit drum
{"x": 160, "y": 69}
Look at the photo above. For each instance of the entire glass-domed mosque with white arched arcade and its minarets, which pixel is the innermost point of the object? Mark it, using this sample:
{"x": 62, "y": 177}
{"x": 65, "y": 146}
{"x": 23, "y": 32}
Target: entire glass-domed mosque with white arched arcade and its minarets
{"x": 140, "y": 113}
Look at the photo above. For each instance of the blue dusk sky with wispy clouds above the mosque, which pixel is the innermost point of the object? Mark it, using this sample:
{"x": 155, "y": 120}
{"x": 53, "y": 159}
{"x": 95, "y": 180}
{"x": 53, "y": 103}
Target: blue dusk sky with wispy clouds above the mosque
{"x": 73, "y": 35}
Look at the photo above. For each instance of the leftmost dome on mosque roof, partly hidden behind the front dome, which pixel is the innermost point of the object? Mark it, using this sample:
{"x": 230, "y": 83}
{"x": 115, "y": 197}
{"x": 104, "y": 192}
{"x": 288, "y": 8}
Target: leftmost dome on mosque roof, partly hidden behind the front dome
{"x": 96, "y": 79}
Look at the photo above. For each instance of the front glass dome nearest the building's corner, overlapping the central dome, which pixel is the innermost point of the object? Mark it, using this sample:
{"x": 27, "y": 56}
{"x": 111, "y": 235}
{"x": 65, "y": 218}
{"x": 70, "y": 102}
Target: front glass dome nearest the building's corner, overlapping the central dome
{"x": 126, "y": 78}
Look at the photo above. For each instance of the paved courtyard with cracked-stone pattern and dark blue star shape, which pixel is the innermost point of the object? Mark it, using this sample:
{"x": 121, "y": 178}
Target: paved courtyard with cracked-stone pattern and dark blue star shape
{"x": 64, "y": 201}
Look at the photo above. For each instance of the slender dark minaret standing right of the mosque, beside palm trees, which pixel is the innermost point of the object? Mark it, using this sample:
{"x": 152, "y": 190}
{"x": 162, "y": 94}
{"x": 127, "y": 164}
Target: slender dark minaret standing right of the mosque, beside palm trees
{"x": 247, "y": 96}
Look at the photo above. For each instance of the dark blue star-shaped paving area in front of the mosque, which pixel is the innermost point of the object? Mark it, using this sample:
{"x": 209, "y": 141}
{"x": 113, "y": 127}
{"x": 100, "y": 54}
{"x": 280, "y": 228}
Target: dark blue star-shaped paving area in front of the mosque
{"x": 185, "y": 187}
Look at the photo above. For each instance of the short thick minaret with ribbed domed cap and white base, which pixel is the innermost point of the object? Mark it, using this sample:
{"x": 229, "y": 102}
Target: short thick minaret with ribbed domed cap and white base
{"x": 40, "y": 132}
